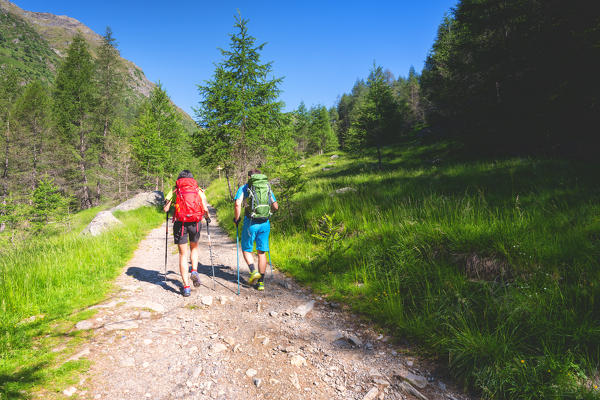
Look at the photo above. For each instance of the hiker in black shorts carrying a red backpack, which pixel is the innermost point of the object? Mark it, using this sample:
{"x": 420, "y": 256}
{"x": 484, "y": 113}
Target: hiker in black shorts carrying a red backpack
{"x": 190, "y": 207}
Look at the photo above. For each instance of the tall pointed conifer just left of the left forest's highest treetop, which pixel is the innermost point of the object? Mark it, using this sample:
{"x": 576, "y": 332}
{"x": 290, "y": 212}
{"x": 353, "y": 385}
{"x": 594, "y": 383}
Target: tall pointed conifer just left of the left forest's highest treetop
{"x": 75, "y": 100}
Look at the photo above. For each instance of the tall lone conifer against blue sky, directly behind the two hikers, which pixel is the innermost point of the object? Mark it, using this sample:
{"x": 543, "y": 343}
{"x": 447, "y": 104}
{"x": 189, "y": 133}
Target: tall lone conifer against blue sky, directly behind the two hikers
{"x": 238, "y": 110}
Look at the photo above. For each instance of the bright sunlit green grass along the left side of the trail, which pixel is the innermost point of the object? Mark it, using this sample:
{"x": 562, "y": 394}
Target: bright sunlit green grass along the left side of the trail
{"x": 54, "y": 278}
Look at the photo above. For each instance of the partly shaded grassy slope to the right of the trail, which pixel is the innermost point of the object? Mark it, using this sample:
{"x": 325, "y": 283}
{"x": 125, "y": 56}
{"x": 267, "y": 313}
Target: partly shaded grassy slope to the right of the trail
{"x": 484, "y": 263}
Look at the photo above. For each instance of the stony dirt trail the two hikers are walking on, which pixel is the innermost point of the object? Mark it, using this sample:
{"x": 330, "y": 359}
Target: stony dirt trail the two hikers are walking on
{"x": 151, "y": 343}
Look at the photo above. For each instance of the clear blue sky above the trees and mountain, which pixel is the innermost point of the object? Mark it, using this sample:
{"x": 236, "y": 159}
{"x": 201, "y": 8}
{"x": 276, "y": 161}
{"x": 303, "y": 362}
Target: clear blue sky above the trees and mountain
{"x": 319, "y": 47}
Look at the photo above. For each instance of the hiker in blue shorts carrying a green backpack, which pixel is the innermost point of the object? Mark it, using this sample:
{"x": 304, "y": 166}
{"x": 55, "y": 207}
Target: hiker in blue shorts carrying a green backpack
{"x": 258, "y": 200}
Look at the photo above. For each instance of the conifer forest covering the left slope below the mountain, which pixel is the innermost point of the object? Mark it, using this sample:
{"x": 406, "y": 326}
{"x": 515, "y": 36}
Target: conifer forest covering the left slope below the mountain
{"x": 79, "y": 140}
